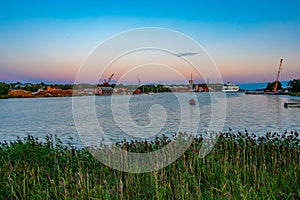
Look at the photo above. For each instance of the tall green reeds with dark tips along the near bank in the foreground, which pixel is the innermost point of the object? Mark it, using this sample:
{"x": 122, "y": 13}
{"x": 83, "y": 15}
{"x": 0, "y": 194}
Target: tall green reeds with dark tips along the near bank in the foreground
{"x": 239, "y": 167}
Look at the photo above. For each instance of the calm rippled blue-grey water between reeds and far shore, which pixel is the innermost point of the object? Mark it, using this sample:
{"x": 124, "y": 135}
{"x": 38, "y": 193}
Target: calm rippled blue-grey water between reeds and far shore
{"x": 146, "y": 117}
